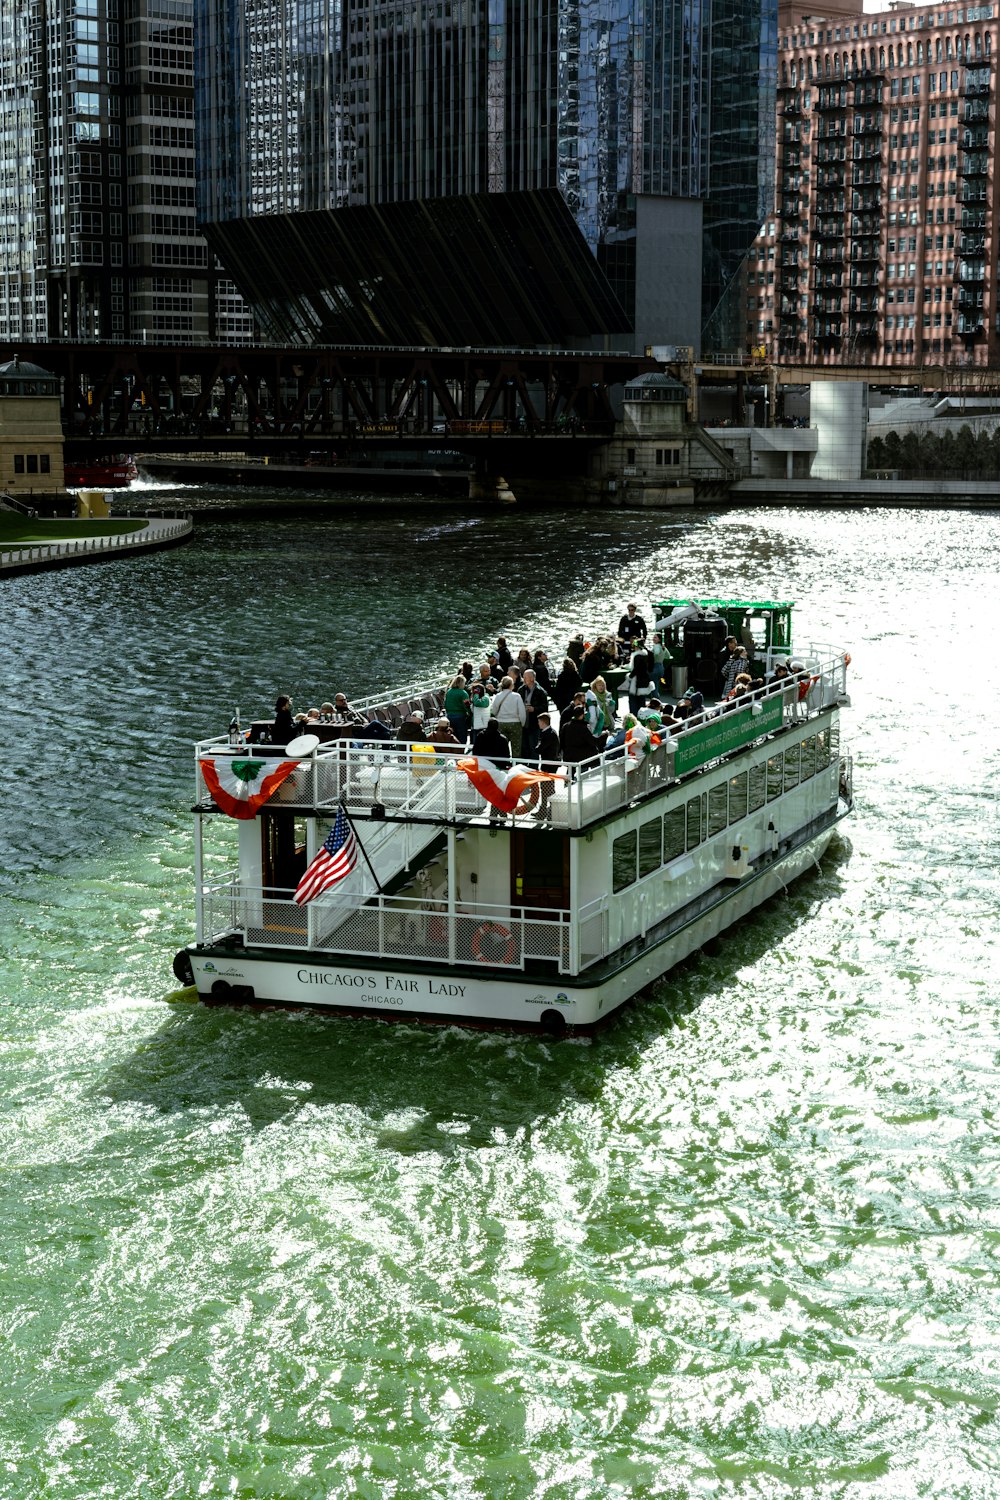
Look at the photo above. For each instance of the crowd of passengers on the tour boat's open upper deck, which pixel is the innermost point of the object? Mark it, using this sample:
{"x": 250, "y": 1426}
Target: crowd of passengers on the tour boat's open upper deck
{"x": 501, "y": 709}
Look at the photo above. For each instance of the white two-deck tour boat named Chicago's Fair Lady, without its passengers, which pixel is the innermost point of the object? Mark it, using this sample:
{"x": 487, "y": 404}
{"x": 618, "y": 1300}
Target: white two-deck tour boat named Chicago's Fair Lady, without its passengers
{"x": 454, "y": 911}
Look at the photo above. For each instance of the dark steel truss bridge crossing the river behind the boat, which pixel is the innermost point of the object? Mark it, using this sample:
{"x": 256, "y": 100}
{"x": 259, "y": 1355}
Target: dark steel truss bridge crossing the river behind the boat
{"x": 182, "y": 397}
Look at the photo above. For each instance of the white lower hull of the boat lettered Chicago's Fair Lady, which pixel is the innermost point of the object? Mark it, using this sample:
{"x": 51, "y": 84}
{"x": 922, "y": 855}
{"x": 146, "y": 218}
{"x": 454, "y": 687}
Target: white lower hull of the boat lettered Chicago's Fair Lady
{"x": 487, "y": 995}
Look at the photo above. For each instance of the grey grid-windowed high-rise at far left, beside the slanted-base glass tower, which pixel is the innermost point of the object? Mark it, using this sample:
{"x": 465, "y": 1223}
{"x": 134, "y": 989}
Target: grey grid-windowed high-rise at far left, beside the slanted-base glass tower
{"x": 98, "y": 236}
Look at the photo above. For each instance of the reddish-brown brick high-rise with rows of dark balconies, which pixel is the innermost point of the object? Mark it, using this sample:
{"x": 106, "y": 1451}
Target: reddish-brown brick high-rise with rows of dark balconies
{"x": 882, "y": 247}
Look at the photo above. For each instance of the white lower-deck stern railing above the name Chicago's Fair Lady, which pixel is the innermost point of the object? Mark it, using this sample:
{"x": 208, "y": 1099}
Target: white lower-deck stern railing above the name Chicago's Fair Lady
{"x": 403, "y": 928}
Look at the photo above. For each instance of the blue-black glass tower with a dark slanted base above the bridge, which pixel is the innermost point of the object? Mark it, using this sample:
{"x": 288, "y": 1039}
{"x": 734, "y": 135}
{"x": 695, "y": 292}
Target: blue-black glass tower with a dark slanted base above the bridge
{"x": 470, "y": 172}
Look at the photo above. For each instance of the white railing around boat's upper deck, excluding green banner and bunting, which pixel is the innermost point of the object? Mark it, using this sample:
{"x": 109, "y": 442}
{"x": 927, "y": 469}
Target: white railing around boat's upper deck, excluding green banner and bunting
{"x": 425, "y": 782}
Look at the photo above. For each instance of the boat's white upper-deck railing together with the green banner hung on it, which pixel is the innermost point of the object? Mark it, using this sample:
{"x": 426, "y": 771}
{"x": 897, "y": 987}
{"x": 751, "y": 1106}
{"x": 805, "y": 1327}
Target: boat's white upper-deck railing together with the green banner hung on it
{"x": 422, "y": 784}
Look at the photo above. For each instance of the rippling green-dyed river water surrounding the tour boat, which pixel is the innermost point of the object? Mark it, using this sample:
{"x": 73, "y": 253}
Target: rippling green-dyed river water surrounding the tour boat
{"x": 744, "y": 1243}
